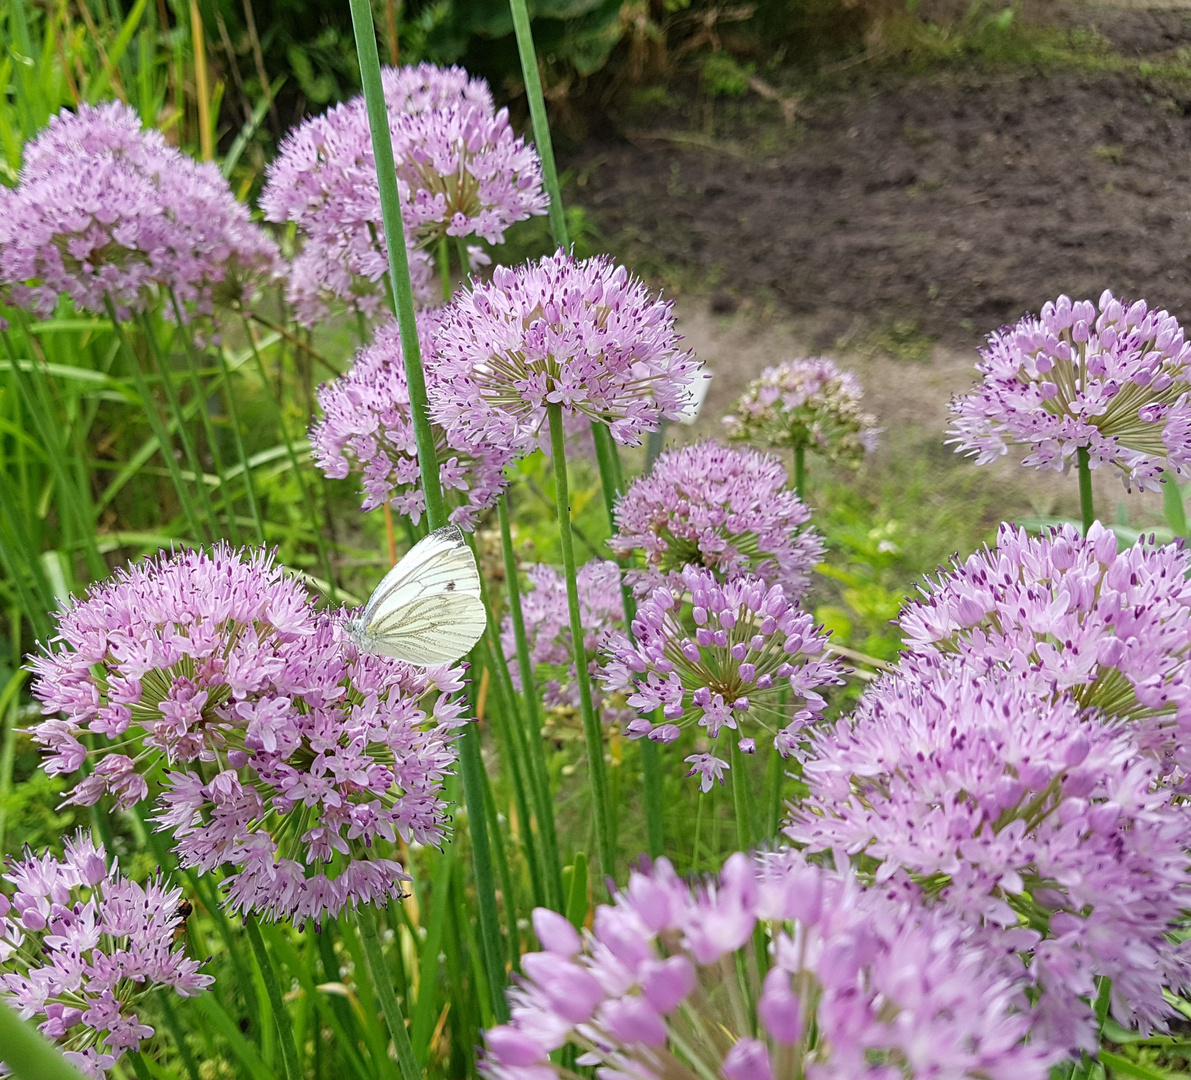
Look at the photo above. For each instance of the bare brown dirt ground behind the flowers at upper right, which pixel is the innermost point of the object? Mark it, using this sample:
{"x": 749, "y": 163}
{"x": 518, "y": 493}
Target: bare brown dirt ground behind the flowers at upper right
{"x": 909, "y": 217}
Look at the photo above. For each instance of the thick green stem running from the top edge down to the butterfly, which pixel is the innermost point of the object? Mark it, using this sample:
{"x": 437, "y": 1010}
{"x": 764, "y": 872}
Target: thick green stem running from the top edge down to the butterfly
{"x": 398, "y": 259}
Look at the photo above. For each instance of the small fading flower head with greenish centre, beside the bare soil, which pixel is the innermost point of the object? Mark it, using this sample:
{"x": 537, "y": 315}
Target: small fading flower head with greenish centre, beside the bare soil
{"x": 806, "y": 404}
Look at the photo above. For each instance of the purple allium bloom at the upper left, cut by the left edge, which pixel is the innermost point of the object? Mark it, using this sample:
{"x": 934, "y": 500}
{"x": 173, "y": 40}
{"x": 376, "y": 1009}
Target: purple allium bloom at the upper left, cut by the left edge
{"x": 105, "y": 210}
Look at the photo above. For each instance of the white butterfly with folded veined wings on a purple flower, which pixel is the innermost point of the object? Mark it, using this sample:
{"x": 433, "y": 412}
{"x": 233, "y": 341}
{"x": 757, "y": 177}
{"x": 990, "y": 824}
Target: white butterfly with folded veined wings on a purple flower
{"x": 428, "y": 609}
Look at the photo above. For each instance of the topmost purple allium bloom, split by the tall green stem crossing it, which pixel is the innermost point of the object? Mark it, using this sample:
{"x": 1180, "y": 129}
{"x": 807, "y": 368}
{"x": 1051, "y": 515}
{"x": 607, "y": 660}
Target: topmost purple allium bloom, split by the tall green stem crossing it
{"x": 325, "y": 179}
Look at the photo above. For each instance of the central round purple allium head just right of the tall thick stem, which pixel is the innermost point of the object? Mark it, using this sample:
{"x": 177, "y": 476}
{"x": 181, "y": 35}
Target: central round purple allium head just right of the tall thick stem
{"x": 579, "y": 333}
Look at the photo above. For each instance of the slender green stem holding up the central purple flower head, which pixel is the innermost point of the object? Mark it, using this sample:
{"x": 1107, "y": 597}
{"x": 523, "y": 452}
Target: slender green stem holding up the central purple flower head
{"x": 593, "y": 733}
